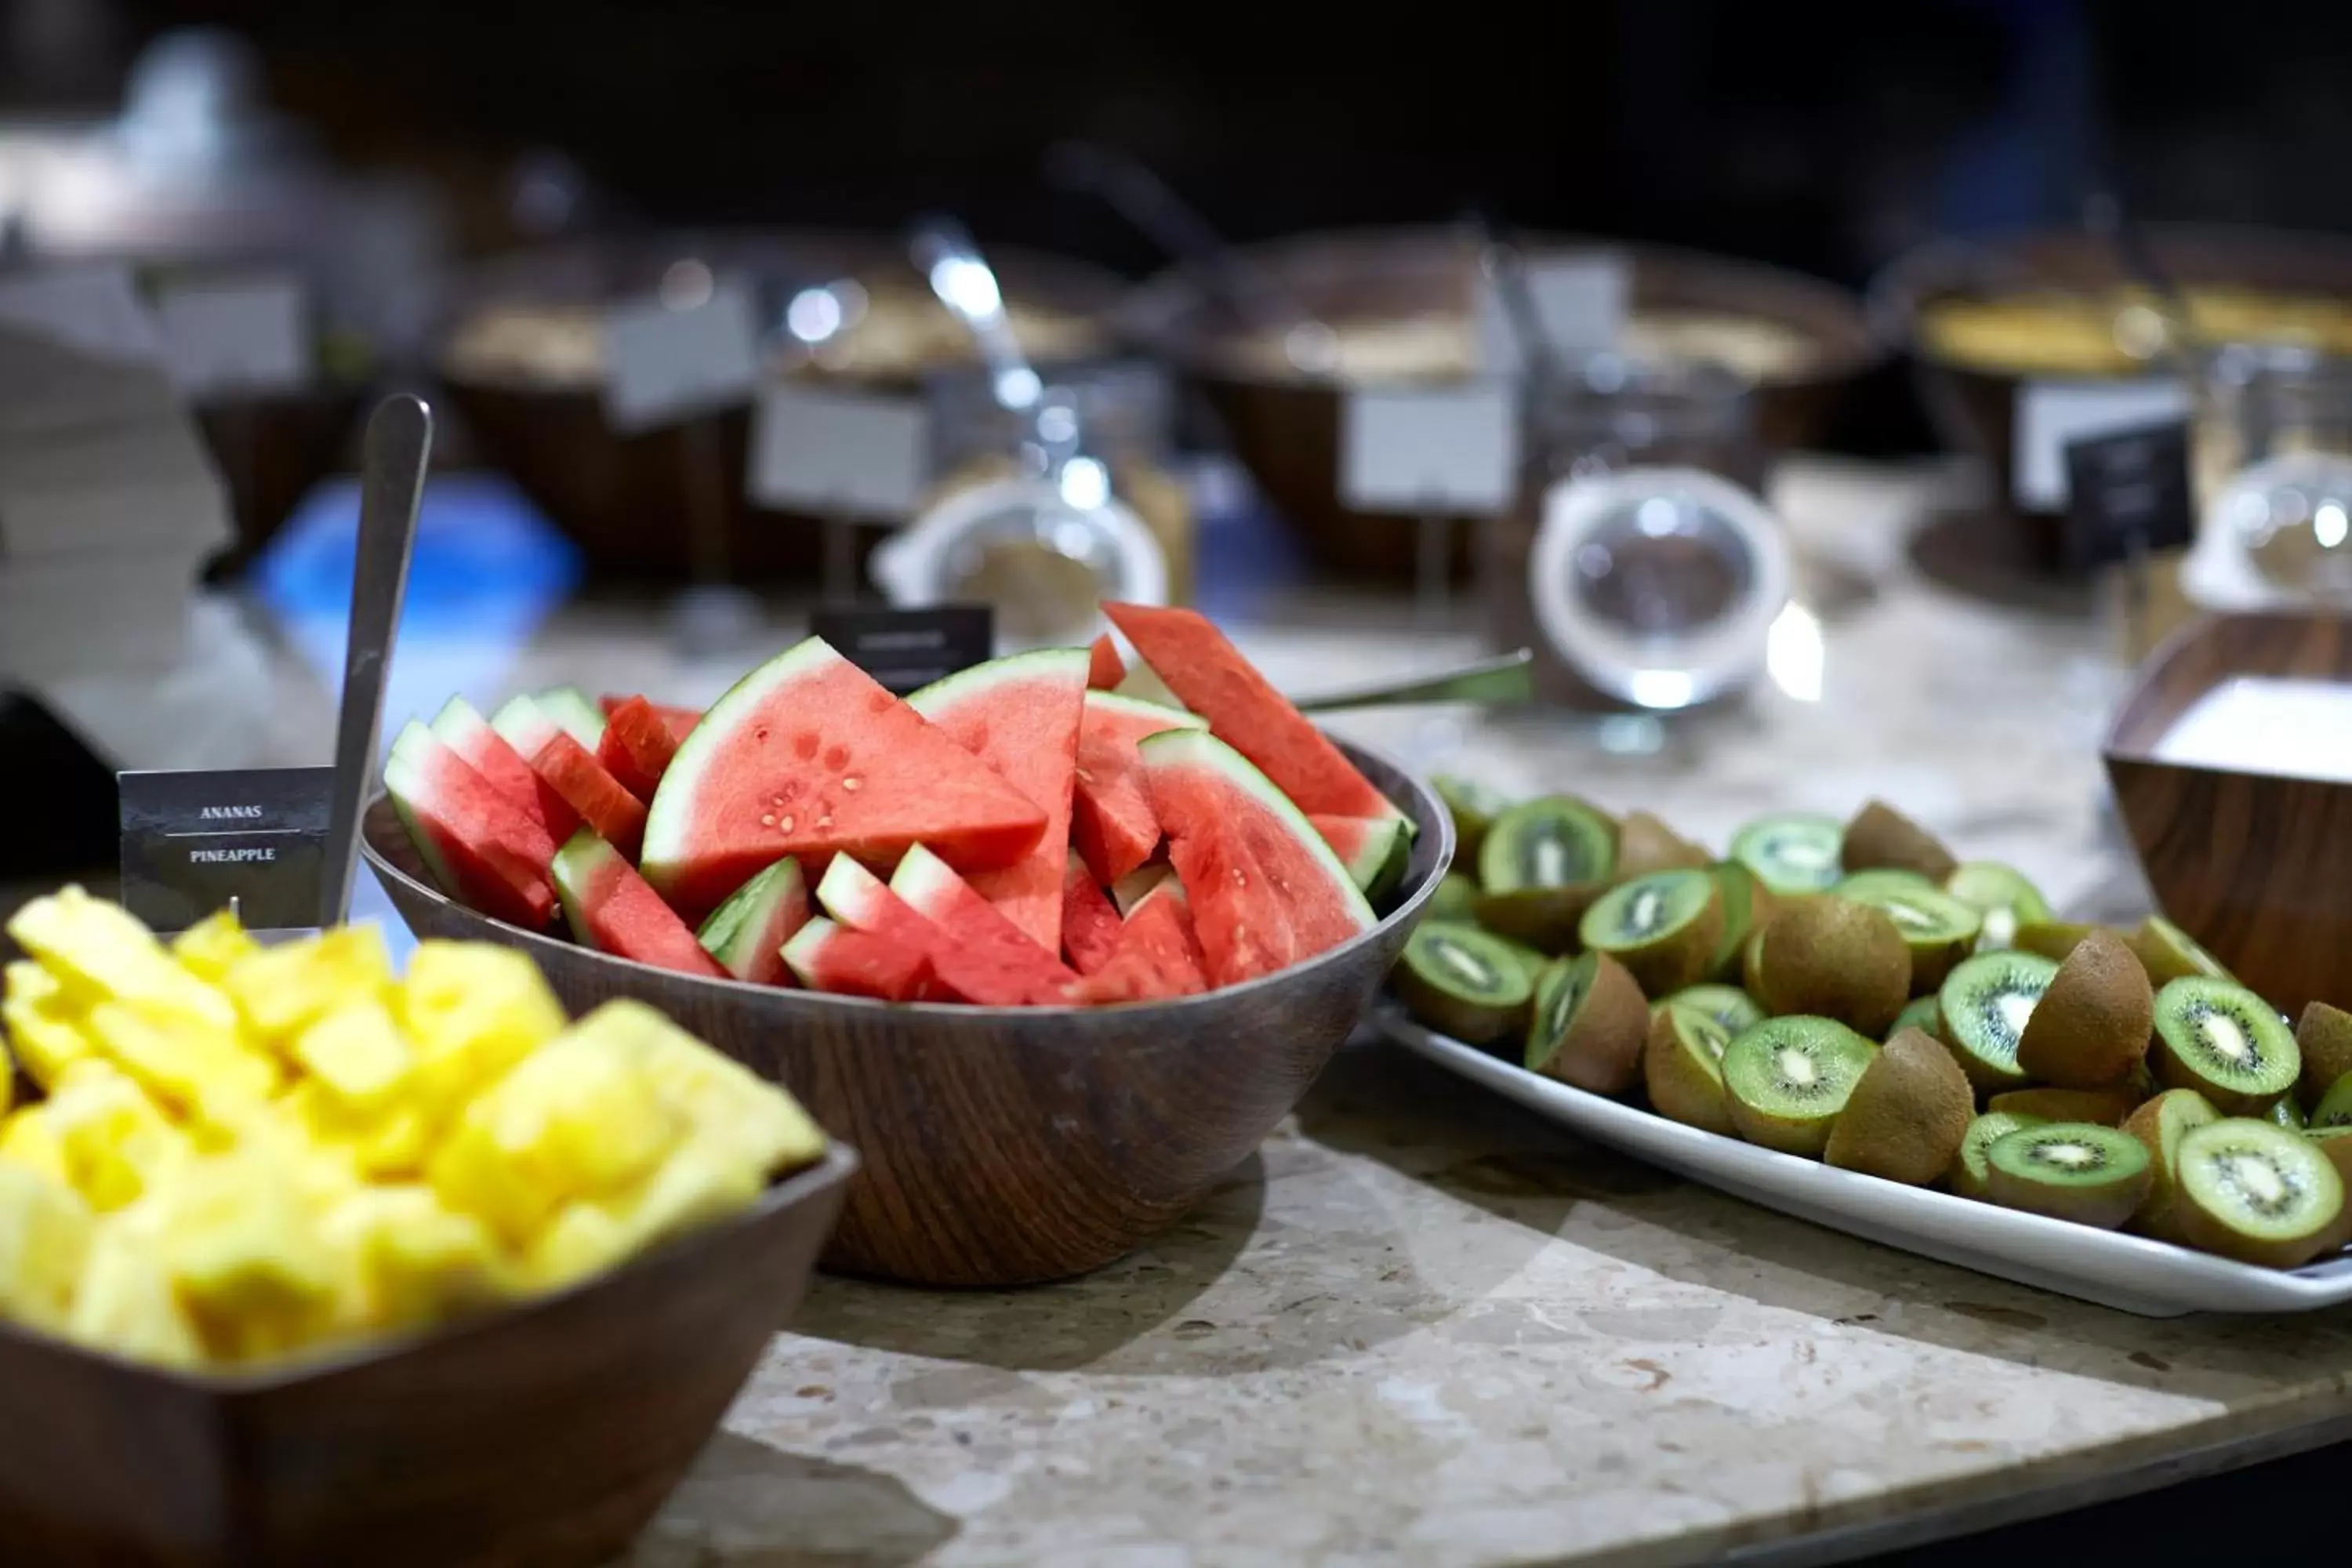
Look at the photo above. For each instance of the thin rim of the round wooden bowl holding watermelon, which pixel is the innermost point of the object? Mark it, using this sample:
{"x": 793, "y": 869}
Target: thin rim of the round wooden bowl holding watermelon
{"x": 1426, "y": 810}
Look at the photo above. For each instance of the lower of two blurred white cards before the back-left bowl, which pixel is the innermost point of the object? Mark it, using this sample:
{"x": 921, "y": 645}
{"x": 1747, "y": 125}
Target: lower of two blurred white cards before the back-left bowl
{"x": 857, "y": 455}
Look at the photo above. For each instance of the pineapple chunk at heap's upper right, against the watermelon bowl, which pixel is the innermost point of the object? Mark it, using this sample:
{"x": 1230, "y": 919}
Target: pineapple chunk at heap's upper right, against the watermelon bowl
{"x": 474, "y": 1012}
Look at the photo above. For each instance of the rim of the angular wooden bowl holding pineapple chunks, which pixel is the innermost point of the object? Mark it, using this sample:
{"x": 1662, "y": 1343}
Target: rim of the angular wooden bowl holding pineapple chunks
{"x": 838, "y": 1165}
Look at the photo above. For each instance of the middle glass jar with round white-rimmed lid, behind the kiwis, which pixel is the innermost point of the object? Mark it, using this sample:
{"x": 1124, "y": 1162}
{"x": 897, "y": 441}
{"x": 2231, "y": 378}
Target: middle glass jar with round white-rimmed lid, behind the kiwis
{"x": 1636, "y": 554}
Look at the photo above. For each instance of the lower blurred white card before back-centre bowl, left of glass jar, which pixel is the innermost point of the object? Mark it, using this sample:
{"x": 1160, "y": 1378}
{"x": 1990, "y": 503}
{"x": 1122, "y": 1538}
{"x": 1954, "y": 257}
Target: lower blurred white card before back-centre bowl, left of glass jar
{"x": 1431, "y": 450}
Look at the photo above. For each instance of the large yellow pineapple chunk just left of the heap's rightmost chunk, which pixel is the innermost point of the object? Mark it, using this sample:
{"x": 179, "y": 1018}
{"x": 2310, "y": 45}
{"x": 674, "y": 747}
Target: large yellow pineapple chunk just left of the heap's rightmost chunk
{"x": 573, "y": 1120}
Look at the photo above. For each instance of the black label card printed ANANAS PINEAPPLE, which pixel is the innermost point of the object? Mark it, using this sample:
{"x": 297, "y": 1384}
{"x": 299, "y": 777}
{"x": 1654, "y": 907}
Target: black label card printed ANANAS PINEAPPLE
{"x": 194, "y": 843}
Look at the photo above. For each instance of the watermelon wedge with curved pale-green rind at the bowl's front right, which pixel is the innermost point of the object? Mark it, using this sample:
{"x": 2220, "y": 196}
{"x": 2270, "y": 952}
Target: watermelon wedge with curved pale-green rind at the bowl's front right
{"x": 1267, "y": 892}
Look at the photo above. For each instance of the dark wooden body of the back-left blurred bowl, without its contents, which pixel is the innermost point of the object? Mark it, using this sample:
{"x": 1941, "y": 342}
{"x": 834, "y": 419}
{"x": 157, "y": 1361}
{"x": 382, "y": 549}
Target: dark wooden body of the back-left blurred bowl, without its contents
{"x": 627, "y": 500}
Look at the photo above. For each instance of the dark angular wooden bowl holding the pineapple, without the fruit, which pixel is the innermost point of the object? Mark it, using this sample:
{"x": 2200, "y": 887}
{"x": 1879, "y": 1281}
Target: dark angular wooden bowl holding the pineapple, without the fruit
{"x": 540, "y": 1435}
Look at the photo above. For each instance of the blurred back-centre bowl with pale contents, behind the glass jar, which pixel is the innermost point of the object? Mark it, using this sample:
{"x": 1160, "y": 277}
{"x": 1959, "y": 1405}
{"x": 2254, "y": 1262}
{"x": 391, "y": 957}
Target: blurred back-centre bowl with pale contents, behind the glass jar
{"x": 1403, "y": 309}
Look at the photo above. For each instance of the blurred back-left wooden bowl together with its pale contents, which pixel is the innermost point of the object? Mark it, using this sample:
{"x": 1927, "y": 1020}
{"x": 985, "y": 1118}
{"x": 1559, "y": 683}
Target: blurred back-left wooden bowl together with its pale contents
{"x": 521, "y": 349}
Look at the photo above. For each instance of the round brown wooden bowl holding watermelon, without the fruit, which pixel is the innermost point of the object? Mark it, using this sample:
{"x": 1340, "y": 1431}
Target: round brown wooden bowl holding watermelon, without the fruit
{"x": 1005, "y": 1146}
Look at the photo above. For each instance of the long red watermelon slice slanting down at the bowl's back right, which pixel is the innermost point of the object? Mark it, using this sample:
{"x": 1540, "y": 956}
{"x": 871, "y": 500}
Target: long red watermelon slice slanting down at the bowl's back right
{"x": 1212, "y": 678}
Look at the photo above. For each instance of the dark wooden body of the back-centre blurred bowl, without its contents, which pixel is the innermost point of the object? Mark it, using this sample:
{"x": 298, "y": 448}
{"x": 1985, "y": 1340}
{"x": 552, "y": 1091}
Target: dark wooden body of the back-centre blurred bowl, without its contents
{"x": 1288, "y": 429}
